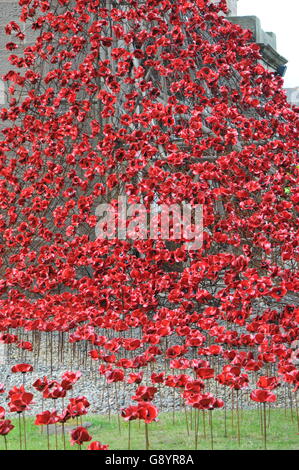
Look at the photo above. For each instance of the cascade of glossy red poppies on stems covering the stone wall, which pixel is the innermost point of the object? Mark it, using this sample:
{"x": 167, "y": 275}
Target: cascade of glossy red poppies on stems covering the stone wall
{"x": 163, "y": 102}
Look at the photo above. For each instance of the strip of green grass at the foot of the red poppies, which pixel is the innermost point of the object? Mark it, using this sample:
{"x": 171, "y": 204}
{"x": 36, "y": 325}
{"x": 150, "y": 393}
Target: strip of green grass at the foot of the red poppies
{"x": 282, "y": 434}
